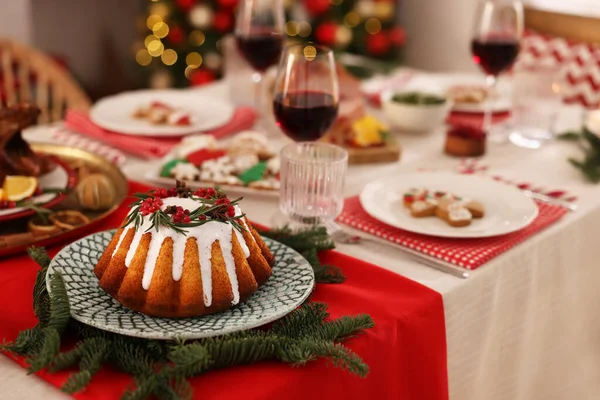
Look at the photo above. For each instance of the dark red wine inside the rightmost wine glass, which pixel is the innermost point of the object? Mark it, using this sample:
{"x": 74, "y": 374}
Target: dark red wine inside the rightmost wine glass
{"x": 495, "y": 55}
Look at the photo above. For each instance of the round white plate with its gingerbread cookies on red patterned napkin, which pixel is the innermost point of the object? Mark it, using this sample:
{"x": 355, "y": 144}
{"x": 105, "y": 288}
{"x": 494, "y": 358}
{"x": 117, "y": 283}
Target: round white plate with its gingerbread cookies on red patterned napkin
{"x": 446, "y": 204}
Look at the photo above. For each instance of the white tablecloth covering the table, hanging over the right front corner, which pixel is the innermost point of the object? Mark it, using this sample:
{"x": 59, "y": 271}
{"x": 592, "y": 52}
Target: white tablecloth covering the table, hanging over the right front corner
{"x": 523, "y": 327}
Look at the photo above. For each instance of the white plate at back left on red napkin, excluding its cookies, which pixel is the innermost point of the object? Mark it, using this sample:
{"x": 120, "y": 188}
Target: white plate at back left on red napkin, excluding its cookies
{"x": 114, "y": 113}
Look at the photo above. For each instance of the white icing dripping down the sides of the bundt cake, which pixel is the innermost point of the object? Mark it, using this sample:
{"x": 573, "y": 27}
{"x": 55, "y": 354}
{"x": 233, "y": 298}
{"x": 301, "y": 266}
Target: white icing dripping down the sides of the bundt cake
{"x": 205, "y": 236}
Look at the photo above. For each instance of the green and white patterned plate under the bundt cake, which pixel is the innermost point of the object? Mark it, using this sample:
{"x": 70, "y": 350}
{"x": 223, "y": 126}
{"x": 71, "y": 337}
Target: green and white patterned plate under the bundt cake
{"x": 291, "y": 283}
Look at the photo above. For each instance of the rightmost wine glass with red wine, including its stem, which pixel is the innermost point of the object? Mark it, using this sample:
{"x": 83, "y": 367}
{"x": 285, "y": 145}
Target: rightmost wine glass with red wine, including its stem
{"x": 495, "y": 44}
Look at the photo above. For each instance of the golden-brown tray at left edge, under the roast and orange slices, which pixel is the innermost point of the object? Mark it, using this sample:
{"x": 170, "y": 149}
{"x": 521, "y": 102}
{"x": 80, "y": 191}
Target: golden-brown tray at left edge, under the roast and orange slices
{"x": 14, "y": 235}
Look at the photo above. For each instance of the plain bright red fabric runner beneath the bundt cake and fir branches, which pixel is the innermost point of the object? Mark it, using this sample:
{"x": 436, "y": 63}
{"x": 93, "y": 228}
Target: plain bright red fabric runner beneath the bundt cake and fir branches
{"x": 406, "y": 350}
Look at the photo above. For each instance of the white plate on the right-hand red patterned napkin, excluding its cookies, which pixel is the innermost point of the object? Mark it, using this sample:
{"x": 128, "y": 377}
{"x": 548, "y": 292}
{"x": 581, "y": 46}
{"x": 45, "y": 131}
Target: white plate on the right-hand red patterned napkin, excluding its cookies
{"x": 507, "y": 209}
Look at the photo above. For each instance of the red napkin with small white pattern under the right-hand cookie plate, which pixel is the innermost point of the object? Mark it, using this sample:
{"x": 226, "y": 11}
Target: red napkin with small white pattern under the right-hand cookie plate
{"x": 465, "y": 253}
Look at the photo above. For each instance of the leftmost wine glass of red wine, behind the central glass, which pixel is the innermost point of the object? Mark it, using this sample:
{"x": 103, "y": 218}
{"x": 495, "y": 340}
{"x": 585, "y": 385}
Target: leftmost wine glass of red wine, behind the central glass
{"x": 259, "y": 32}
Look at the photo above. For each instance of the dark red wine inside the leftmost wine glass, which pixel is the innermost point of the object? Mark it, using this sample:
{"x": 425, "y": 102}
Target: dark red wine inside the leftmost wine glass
{"x": 260, "y": 49}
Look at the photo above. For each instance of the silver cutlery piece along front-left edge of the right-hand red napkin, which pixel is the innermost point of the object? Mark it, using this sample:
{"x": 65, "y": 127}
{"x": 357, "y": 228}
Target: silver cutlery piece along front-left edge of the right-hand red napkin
{"x": 340, "y": 235}
